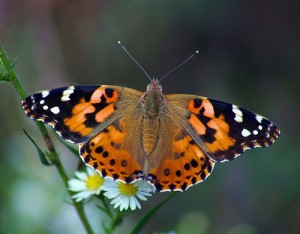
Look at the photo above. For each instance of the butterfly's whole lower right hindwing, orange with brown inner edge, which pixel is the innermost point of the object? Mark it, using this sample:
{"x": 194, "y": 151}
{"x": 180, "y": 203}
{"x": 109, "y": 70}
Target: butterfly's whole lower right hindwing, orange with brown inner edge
{"x": 183, "y": 165}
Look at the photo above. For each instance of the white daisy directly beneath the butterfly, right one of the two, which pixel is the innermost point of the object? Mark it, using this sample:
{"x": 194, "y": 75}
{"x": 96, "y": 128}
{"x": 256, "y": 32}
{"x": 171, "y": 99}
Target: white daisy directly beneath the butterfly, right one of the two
{"x": 125, "y": 195}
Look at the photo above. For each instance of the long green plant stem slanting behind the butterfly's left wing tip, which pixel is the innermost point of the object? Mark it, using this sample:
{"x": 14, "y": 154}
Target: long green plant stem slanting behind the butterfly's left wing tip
{"x": 54, "y": 155}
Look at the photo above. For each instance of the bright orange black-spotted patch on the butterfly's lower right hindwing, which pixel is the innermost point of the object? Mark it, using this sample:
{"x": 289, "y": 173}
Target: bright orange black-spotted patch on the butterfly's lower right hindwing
{"x": 187, "y": 166}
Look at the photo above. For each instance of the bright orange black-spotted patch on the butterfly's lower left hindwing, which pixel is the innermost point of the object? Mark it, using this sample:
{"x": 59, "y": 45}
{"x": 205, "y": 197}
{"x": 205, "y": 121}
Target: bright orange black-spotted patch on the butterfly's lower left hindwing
{"x": 104, "y": 153}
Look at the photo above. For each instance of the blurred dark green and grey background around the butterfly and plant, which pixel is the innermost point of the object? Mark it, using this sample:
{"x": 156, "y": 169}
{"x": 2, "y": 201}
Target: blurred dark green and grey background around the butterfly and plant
{"x": 249, "y": 56}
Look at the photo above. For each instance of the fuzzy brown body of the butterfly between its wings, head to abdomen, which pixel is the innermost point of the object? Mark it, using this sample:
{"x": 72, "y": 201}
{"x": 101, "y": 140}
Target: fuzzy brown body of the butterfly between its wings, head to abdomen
{"x": 153, "y": 109}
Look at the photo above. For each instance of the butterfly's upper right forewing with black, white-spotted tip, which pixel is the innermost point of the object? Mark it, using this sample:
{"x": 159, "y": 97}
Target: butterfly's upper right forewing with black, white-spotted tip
{"x": 222, "y": 130}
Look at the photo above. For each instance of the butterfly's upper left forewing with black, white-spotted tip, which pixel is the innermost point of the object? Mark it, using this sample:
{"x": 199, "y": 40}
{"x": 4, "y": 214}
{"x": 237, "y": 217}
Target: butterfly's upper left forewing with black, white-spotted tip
{"x": 80, "y": 112}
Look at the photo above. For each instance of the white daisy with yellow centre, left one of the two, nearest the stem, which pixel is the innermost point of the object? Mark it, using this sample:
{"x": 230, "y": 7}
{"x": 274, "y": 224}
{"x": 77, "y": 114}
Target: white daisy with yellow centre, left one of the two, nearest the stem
{"x": 86, "y": 184}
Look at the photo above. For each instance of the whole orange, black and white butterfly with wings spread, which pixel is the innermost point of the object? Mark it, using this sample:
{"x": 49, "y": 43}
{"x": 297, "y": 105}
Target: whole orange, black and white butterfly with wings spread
{"x": 171, "y": 141}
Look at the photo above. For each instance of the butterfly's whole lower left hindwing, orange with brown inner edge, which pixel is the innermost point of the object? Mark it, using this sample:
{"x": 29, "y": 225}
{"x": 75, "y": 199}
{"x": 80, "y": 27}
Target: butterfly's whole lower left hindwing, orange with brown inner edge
{"x": 113, "y": 154}
